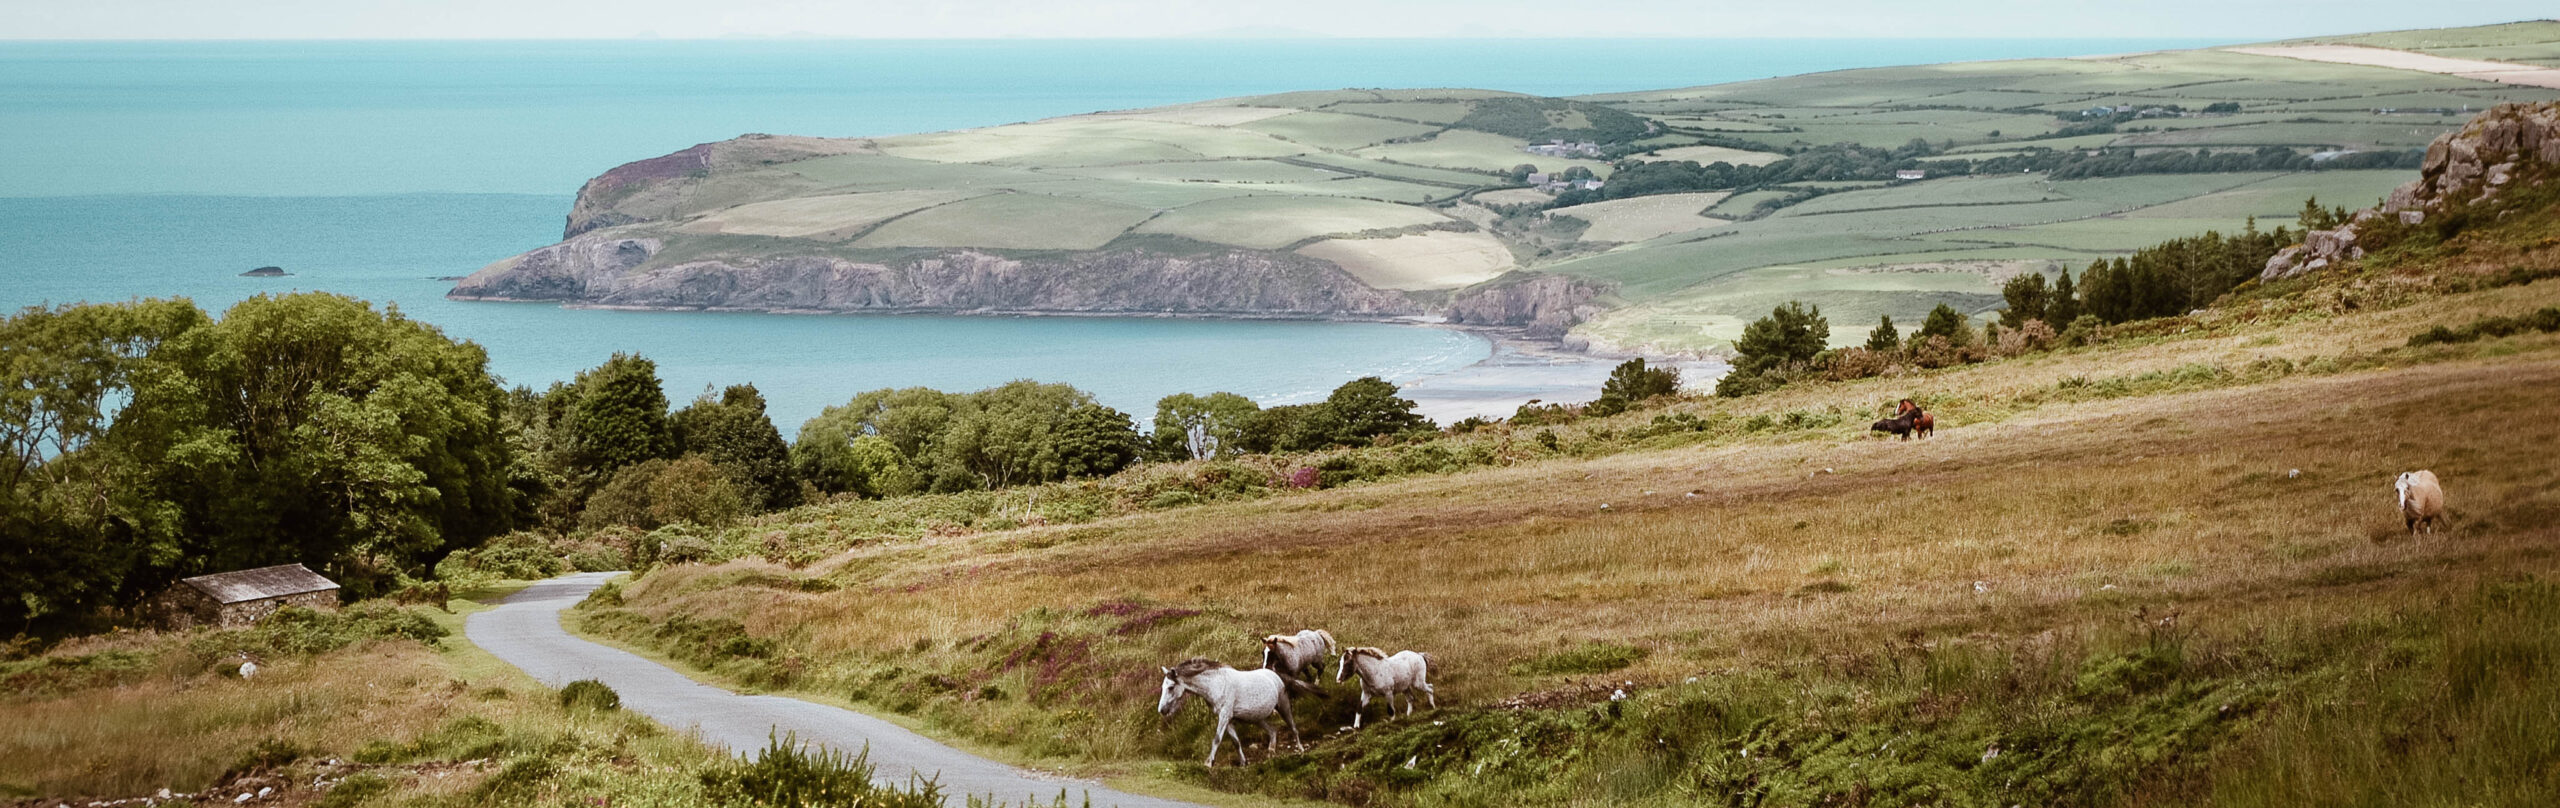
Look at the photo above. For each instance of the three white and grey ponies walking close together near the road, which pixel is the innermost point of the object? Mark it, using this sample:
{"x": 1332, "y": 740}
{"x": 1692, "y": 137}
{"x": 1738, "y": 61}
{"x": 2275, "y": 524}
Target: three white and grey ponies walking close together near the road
{"x": 1292, "y": 664}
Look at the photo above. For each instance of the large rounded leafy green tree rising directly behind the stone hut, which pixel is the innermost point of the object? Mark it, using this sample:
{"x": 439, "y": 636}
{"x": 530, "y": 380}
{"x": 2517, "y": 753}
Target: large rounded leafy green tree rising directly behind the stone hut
{"x": 314, "y": 428}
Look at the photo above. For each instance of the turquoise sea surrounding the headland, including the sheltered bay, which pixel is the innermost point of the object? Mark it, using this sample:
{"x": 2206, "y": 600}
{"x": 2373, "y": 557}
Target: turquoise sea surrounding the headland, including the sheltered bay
{"x": 385, "y": 167}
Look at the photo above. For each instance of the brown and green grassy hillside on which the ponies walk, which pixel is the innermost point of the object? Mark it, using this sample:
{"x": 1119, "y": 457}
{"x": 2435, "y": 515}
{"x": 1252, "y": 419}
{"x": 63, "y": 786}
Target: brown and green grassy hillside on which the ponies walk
{"x": 2157, "y": 571}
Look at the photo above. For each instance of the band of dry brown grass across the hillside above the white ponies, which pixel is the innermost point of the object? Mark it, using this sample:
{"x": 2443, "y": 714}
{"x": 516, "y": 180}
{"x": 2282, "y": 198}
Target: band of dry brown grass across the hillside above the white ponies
{"x": 2070, "y": 515}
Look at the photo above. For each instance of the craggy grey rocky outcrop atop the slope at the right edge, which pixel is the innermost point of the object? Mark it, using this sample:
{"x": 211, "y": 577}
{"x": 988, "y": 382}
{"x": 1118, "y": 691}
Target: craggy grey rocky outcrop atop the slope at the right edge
{"x": 2464, "y": 170}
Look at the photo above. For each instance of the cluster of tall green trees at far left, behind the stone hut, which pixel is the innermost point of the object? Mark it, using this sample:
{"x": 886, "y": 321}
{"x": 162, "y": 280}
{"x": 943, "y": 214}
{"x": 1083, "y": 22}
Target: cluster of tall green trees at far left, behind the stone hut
{"x": 150, "y": 441}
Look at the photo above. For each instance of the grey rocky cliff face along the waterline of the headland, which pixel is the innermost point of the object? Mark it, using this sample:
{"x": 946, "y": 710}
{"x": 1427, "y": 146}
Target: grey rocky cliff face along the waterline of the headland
{"x": 616, "y": 270}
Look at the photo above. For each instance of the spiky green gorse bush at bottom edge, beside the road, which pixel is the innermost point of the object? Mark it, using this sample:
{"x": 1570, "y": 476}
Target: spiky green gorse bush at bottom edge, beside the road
{"x": 790, "y": 773}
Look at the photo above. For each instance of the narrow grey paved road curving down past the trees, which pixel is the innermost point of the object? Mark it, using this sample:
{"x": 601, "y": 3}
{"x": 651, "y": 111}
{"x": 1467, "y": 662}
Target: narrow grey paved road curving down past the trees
{"x": 526, "y": 633}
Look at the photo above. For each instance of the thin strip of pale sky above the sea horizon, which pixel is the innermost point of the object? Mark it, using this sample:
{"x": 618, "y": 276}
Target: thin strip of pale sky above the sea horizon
{"x": 1153, "y": 19}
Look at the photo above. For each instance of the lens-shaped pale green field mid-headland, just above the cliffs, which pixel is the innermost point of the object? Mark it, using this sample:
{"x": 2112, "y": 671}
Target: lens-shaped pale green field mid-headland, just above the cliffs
{"x": 1012, "y": 224}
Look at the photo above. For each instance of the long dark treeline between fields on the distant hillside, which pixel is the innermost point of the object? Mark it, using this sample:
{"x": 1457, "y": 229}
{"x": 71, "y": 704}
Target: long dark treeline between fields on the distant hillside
{"x": 1850, "y": 162}
